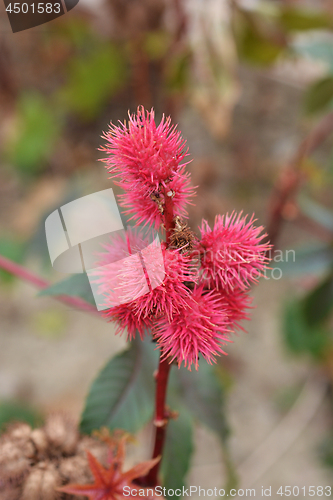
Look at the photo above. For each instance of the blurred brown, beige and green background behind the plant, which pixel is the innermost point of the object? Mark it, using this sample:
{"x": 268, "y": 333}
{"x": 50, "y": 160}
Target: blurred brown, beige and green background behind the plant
{"x": 250, "y": 84}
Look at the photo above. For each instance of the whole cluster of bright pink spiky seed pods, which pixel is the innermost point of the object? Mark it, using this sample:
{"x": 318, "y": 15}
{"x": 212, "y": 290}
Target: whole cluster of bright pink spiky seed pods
{"x": 204, "y": 293}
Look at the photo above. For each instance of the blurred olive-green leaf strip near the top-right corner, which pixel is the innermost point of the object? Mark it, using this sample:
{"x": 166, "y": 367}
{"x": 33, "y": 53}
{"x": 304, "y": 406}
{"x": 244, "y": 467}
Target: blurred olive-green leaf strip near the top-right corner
{"x": 293, "y": 19}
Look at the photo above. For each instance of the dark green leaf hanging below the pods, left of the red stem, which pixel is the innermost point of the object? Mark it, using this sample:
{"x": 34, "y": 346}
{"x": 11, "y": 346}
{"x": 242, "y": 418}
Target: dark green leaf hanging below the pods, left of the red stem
{"x": 122, "y": 396}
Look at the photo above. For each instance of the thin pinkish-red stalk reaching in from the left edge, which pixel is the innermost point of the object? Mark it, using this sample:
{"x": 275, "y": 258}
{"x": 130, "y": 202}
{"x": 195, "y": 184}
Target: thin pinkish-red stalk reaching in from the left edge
{"x": 40, "y": 283}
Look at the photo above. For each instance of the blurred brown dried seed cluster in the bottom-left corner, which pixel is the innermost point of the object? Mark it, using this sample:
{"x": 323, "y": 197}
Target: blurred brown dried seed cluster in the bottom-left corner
{"x": 35, "y": 462}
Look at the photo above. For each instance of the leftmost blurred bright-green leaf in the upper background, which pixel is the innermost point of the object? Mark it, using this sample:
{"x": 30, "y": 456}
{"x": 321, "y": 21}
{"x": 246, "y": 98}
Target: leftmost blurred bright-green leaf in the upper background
{"x": 37, "y": 131}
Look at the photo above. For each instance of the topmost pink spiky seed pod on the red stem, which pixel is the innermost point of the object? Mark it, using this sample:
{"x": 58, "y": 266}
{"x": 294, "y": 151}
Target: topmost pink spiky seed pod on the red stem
{"x": 147, "y": 160}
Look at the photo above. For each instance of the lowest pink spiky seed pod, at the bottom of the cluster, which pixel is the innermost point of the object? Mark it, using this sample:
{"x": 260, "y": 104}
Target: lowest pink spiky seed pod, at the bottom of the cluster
{"x": 201, "y": 328}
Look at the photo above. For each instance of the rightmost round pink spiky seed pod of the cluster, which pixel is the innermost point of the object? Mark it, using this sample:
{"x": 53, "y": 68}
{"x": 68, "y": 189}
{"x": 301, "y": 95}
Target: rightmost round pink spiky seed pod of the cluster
{"x": 232, "y": 253}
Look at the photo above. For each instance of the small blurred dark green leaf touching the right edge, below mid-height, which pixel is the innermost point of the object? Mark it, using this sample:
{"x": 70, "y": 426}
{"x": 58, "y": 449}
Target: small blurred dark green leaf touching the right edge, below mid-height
{"x": 318, "y": 304}
